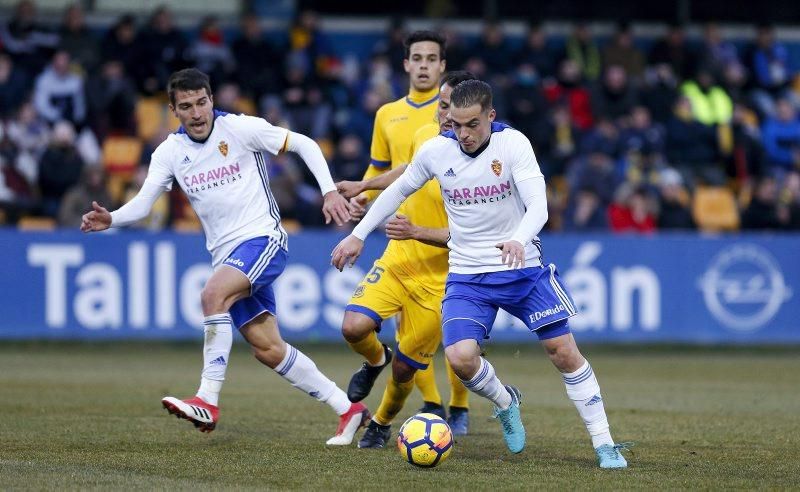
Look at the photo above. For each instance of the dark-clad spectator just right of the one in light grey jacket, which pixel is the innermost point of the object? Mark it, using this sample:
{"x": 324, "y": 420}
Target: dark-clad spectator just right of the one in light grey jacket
{"x": 111, "y": 102}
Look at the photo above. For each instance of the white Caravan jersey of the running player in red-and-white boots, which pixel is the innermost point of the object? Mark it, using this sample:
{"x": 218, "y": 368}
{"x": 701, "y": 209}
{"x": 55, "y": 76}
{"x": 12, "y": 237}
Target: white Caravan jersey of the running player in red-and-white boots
{"x": 226, "y": 180}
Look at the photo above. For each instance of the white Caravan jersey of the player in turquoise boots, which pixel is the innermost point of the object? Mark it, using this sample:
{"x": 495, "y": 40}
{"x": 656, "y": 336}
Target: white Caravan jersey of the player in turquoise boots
{"x": 480, "y": 195}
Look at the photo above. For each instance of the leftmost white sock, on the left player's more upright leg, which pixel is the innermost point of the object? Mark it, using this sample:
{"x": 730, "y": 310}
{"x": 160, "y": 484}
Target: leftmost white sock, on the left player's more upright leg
{"x": 216, "y": 351}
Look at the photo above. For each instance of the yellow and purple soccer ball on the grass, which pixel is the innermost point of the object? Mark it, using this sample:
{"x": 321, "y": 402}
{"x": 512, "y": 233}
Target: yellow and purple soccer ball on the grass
{"x": 425, "y": 440}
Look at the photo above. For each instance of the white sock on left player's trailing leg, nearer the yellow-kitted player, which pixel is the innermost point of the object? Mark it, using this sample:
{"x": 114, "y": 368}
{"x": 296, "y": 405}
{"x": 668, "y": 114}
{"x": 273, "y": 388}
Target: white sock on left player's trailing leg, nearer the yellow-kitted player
{"x": 301, "y": 371}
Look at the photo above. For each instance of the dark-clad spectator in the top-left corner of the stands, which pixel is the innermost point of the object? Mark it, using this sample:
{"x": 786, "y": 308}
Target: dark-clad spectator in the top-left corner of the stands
{"x": 28, "y": 43}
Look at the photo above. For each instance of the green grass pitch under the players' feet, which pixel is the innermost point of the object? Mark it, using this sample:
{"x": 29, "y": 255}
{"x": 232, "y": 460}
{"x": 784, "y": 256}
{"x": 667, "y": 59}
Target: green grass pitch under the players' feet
{"x": 88, "y": 416}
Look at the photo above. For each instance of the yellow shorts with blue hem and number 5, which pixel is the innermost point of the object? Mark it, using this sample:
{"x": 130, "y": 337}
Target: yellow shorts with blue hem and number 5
{"x": 383, "y": 293}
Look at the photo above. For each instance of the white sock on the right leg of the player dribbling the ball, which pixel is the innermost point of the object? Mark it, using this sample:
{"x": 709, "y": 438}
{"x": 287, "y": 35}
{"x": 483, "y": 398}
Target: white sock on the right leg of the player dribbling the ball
{"x": 584, "y": 391}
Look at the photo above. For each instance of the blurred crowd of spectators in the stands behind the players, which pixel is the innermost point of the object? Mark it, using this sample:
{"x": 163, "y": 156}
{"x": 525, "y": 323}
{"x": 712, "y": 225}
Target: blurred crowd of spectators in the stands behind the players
{"x": 681, "y": 135}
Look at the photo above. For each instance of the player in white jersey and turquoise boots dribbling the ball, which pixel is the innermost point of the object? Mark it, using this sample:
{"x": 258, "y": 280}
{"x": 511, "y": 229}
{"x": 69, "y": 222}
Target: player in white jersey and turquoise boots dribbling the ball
{"x": 494, "y": 194}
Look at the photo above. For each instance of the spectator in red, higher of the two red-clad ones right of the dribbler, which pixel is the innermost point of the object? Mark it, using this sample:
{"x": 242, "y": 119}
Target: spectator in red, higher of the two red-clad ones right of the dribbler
{"x": 569, "y": 90}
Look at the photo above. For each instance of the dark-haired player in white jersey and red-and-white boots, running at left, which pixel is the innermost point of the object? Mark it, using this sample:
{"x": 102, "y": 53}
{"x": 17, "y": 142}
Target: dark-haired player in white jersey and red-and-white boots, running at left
{"x": 217, "y": 160}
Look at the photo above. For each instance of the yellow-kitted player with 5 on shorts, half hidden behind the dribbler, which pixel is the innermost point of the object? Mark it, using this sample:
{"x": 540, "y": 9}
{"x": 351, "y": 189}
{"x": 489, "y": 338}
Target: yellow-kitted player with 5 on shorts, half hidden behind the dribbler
{"x": 409, "y": 277}
